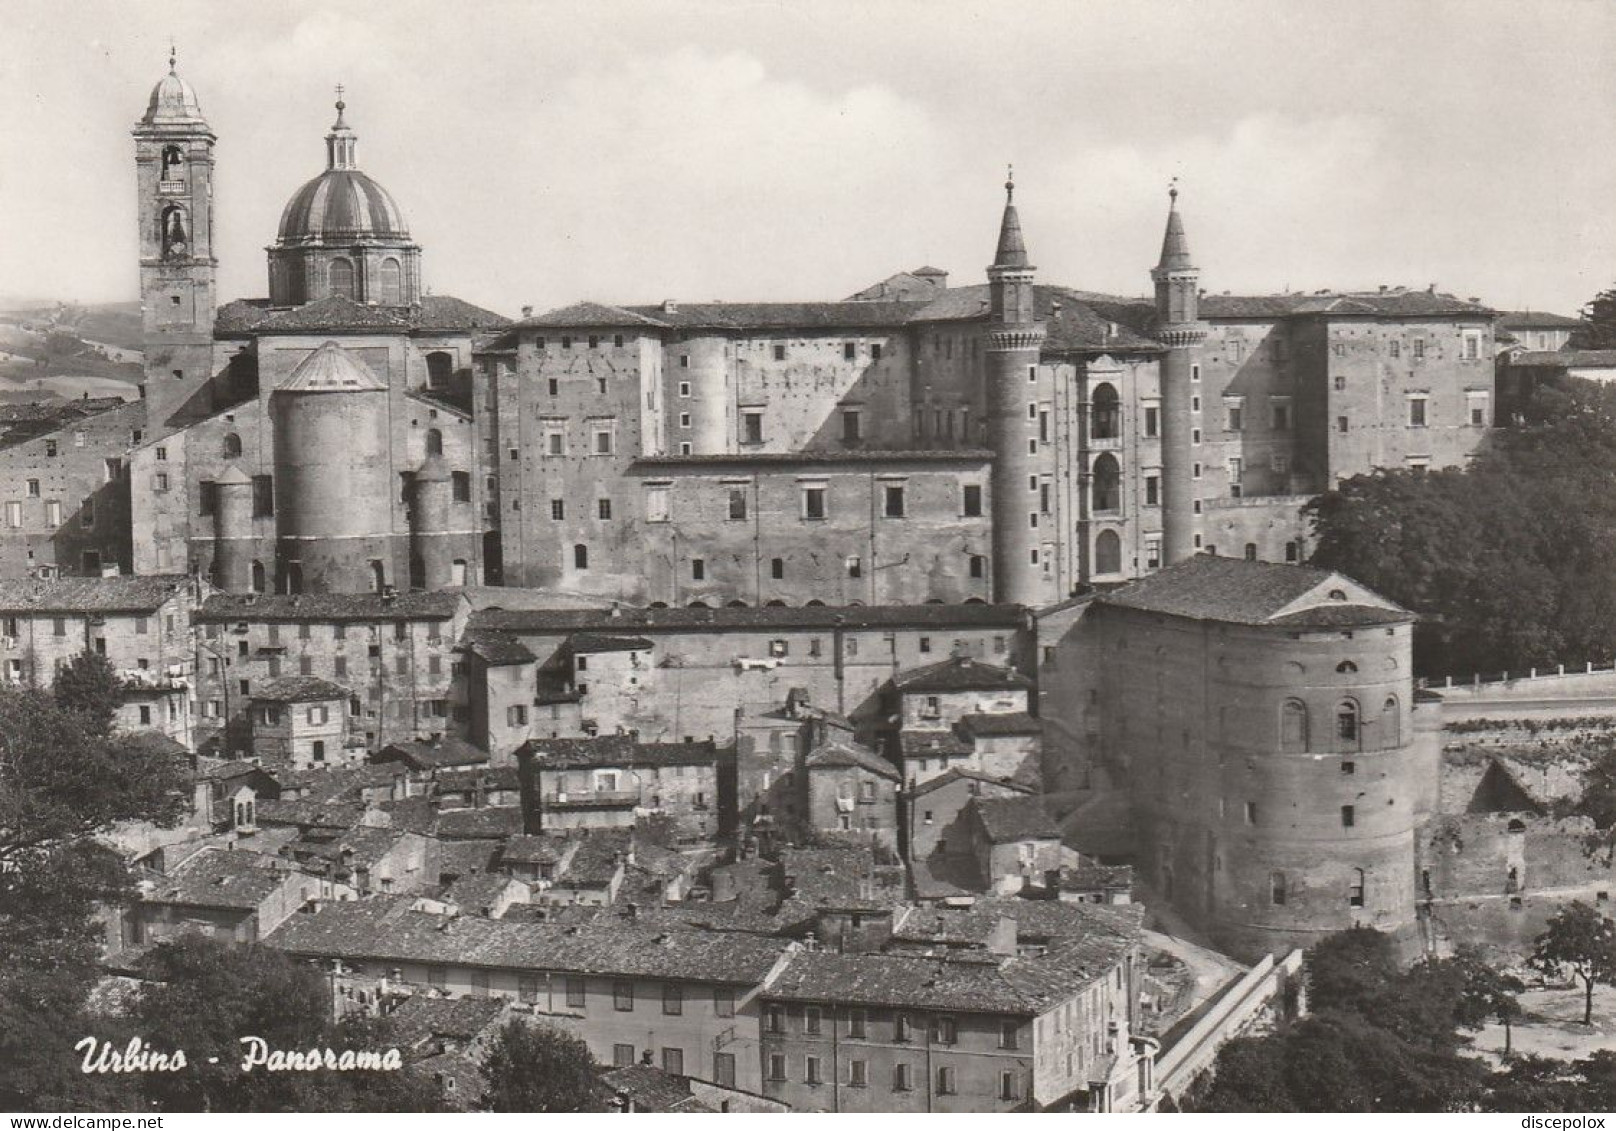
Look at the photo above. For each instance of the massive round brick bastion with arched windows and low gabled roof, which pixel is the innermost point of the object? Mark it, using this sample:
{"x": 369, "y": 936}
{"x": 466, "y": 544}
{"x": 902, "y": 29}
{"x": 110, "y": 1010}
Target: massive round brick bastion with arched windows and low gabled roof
{"x": 1263, "y": 725}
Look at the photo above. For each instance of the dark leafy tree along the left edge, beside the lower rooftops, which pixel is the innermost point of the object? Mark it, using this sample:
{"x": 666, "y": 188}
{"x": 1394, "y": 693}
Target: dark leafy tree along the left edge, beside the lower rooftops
{"x": 62, "y": 784}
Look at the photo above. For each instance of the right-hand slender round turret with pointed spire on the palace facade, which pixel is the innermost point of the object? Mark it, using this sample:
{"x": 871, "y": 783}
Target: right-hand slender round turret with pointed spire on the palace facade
{"x": 1180, "y": 329}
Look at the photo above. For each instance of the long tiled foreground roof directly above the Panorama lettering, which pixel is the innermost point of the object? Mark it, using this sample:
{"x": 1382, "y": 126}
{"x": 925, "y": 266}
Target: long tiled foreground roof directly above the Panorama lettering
{"x": 390, "y": 931}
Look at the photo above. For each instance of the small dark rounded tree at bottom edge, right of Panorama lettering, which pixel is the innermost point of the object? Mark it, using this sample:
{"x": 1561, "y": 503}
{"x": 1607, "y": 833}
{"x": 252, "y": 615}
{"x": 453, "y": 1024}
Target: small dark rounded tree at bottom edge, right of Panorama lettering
{"x": 539, "y": 1069}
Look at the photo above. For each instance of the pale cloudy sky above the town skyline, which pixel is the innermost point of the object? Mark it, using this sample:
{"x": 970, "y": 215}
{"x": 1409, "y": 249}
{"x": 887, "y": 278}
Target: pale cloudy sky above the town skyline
{"x": 726, "y": 149}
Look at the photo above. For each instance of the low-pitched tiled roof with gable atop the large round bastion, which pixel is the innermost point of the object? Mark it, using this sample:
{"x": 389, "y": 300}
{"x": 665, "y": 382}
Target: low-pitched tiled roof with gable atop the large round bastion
{"x": 1260, "y": 594}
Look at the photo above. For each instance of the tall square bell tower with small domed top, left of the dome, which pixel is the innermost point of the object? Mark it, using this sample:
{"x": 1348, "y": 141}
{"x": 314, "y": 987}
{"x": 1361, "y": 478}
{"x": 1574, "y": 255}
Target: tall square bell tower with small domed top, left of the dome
{"x": 174, "y": 162}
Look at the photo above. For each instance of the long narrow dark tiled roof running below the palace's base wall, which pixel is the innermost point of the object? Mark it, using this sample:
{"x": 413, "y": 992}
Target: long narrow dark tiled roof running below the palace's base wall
{"x": 815, "y": 616}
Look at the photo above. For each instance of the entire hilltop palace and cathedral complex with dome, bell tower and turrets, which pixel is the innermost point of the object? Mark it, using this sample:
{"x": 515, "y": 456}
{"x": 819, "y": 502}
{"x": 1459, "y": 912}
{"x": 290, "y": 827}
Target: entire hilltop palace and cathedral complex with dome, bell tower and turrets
{"x": 1003, "y": 440}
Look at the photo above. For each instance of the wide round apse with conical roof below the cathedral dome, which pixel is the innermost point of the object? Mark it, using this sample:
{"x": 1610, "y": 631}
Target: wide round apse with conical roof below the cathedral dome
{"x": 332, "y": 476}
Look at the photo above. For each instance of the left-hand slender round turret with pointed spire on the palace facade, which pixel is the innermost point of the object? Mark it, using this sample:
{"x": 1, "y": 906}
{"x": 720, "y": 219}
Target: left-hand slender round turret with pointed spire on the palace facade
{"x": 1014, "y": 345}
